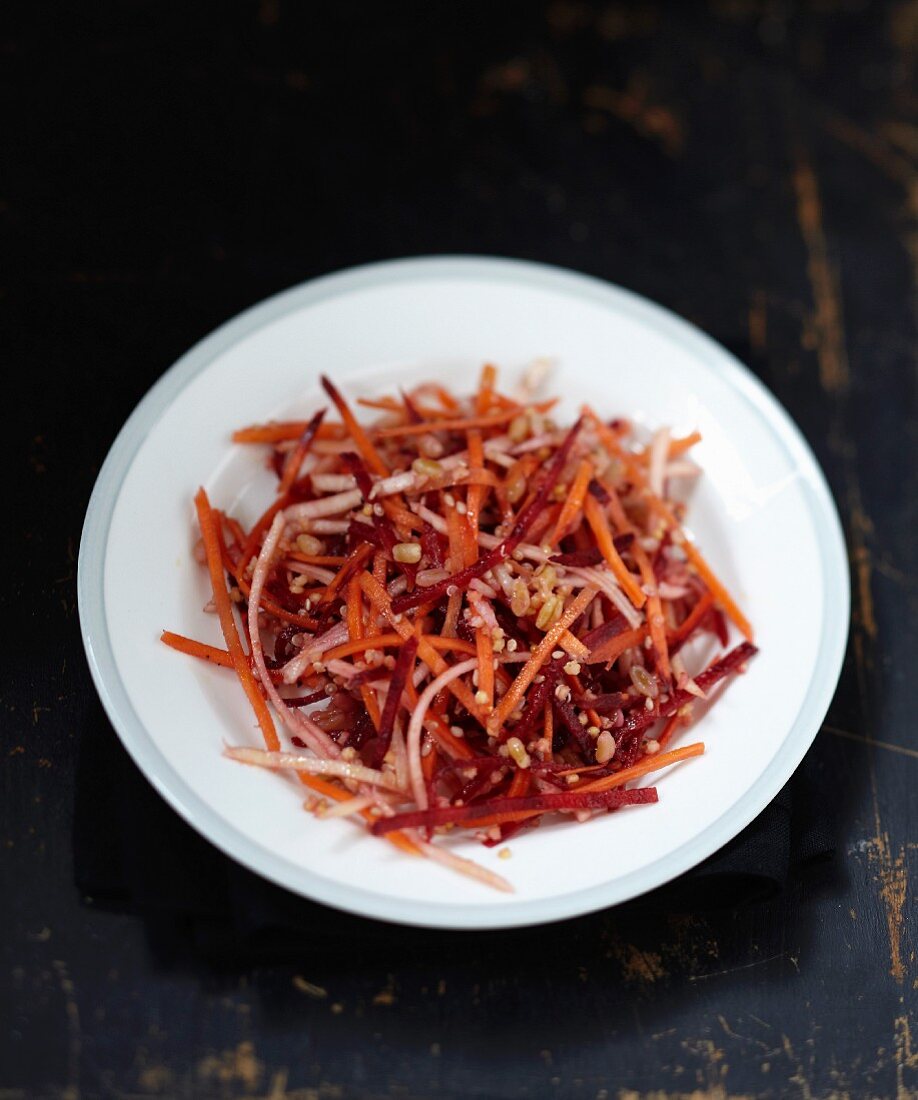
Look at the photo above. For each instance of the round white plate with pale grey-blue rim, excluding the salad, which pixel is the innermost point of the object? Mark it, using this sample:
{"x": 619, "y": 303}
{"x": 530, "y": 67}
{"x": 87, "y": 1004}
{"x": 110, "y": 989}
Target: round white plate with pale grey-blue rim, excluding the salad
{"x": 762, "y": 513}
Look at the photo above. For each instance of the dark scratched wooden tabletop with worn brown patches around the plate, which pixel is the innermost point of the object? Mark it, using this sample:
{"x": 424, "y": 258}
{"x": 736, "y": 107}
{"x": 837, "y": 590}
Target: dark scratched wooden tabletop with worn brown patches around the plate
{"x": 751, "y": 166}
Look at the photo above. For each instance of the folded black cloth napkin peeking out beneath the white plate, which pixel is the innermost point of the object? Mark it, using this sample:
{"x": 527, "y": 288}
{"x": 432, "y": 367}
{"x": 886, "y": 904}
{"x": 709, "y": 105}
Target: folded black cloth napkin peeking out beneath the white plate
{"x": 135, "y": 854}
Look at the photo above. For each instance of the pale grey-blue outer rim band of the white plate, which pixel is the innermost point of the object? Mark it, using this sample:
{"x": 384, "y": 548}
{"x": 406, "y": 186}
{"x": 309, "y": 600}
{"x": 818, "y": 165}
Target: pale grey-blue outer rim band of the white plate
{"x": 515, "y": 912}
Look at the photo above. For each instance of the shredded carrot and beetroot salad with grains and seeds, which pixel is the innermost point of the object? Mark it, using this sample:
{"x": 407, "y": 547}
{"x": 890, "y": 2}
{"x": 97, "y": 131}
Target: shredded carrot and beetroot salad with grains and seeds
{"x": 466, "y": 615}
